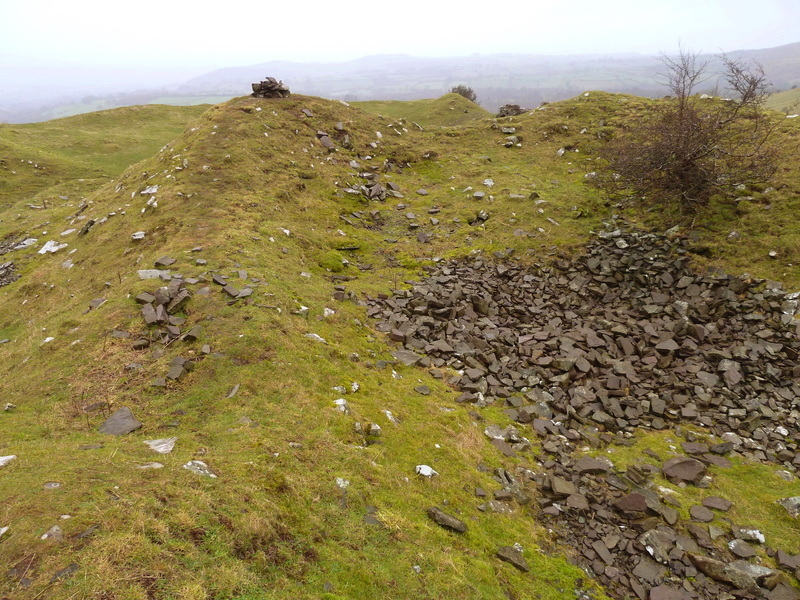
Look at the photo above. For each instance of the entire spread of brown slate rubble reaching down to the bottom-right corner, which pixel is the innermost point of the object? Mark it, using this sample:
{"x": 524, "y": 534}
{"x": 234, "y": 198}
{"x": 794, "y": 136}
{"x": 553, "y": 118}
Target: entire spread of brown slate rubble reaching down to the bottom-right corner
{"x": 581, "y": 354}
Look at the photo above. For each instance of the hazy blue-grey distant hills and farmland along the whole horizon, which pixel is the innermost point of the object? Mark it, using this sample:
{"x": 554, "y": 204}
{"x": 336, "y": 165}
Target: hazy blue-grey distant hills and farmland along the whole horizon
{"x": 498, "y": 79}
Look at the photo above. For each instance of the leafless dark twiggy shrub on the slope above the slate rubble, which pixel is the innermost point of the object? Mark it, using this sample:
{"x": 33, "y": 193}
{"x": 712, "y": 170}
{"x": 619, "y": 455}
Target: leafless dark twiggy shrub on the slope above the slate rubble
{"x": 688, "y": 147}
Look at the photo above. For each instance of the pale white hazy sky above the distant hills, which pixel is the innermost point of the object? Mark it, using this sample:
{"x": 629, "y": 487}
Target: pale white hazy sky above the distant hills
{"x": 198, "y": 33}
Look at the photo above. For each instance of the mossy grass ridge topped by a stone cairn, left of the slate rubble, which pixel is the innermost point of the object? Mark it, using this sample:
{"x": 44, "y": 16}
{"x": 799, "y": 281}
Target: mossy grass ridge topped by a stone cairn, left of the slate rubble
{"x": 273, "y": 523}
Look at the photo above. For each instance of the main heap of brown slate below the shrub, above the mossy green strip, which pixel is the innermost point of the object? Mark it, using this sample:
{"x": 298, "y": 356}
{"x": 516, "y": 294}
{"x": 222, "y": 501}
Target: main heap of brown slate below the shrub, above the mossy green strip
{"x": 626, "y": 336}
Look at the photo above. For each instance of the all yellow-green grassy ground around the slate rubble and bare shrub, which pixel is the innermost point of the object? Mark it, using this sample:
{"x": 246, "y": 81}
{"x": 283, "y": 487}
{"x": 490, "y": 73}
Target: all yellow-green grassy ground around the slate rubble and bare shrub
{"x": 304, "y": 504}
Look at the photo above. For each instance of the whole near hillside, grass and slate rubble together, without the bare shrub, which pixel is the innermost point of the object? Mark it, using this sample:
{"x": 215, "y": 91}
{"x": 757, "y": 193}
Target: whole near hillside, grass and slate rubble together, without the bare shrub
{"x": 224, "y": 382}
